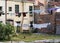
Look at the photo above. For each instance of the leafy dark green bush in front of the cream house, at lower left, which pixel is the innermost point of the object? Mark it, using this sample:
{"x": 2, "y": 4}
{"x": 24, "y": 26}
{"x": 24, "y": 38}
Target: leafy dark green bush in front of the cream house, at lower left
{"x": 6, "y": 31}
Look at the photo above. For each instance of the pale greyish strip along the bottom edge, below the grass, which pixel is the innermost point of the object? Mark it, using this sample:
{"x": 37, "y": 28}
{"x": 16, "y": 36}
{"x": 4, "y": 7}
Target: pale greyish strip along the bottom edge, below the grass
{"x": 37, "y": 41}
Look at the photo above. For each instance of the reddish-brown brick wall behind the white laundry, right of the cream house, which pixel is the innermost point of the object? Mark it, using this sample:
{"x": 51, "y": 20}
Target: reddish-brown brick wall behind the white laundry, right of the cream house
{"x": 45, "y": 18}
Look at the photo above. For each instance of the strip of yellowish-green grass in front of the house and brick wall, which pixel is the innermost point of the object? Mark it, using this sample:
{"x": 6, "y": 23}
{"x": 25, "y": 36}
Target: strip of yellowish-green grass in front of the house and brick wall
{"x": 32, "y": 37}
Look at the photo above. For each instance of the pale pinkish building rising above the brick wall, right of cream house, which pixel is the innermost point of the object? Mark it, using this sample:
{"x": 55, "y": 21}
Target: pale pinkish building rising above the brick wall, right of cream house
{"x": 42, "y": 4}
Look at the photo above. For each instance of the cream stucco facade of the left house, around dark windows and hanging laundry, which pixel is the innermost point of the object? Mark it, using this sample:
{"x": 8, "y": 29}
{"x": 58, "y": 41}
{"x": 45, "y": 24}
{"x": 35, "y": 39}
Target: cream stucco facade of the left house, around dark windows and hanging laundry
{"x": 12, "y": 15}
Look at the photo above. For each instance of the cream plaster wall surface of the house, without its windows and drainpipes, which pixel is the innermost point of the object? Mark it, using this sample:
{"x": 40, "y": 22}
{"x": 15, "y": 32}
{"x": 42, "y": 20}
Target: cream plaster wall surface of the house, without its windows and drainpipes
{"x": 12, "y": 14}
